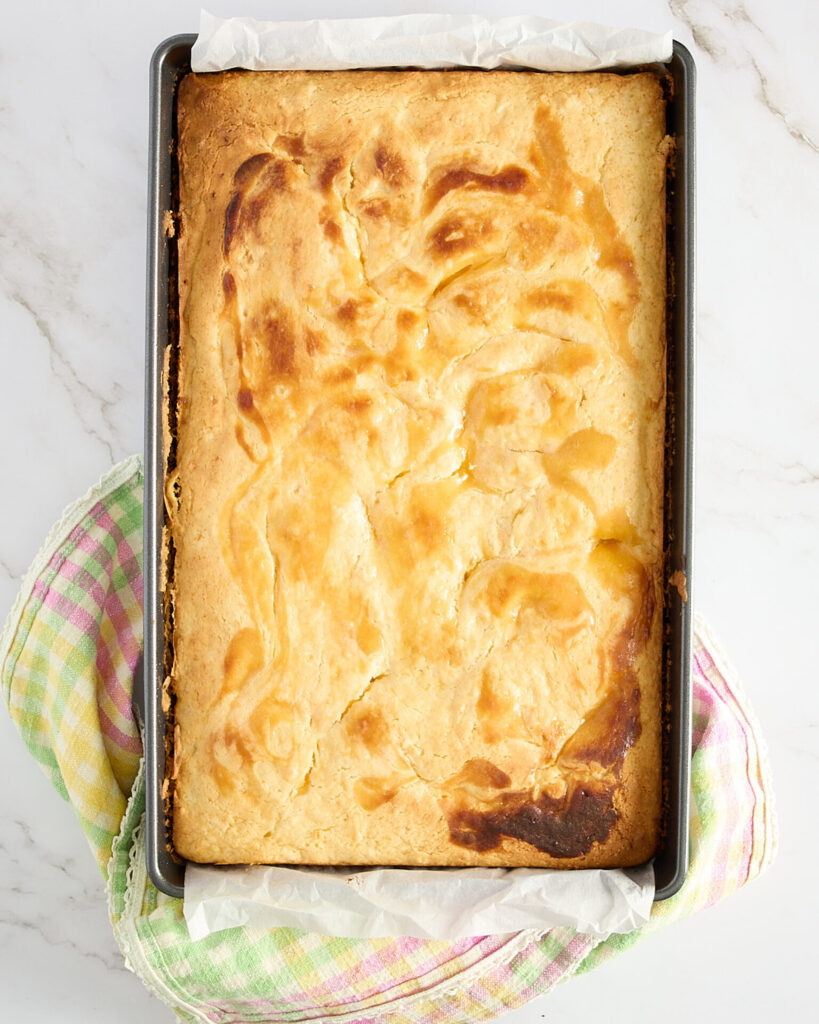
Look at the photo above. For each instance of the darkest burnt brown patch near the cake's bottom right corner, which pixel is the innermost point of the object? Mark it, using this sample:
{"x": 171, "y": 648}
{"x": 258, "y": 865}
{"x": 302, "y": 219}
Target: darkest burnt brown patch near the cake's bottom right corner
{"x": 567, "y": 827}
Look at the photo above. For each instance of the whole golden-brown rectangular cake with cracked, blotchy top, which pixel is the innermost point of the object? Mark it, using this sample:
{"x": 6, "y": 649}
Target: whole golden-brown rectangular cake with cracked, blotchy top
{"x": 416, "y": 500}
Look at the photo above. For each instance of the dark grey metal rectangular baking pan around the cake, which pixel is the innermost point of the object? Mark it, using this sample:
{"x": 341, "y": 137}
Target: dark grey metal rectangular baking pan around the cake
{"x": 171, "y": 61}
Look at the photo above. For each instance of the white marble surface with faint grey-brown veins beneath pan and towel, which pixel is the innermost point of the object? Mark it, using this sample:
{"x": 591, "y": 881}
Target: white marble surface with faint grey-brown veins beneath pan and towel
{"x": 73, "y": 154}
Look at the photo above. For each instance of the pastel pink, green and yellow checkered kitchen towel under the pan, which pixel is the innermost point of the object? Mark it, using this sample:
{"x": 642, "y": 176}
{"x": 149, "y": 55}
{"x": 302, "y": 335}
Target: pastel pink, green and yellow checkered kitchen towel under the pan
{"x": 67, "y": 660}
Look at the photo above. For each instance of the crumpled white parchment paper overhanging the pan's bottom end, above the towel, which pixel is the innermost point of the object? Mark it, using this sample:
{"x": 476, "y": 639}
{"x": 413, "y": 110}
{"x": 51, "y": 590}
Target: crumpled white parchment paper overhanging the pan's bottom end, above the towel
{"x": 445, "y": 904}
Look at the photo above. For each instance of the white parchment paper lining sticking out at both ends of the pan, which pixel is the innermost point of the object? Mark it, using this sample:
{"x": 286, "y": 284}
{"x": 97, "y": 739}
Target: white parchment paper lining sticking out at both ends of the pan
{"x": 441, "y": 904}
